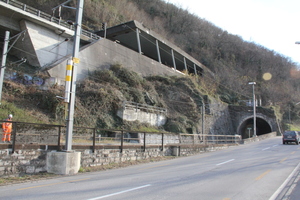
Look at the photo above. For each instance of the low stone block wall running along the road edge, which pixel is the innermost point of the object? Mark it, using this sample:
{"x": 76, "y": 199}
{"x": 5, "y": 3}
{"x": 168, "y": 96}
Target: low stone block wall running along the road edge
{"x": 33, "y": 160}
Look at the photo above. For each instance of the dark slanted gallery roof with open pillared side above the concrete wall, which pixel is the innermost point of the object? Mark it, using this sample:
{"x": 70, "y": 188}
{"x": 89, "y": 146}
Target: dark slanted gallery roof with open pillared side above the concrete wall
{"x": 126, "y": 35}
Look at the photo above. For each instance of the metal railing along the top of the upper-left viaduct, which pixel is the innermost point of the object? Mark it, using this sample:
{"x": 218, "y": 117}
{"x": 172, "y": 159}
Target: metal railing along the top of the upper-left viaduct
{"x": 48, "y": 17}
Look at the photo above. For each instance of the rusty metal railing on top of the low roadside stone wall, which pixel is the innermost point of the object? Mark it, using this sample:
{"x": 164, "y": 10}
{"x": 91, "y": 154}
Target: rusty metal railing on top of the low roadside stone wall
{"x": 54, "y": 136}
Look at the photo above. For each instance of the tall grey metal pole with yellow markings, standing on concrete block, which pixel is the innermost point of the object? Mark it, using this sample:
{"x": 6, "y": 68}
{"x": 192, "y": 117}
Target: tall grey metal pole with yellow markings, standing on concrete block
{"x": 70, "y": 118}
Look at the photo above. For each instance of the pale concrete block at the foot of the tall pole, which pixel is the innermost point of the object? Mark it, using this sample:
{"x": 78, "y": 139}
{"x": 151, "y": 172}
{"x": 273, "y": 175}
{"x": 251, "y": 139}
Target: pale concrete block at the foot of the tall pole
{"x": 65, "y": 163}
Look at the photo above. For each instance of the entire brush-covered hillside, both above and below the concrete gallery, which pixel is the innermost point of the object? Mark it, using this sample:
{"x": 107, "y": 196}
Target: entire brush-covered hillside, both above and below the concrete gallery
{"x": 234, "y": 62}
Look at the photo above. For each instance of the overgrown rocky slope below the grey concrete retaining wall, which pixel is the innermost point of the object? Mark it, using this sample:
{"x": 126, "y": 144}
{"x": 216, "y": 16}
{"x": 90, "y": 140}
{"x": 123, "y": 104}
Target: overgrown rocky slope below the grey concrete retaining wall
{"x": 101, "y": 95}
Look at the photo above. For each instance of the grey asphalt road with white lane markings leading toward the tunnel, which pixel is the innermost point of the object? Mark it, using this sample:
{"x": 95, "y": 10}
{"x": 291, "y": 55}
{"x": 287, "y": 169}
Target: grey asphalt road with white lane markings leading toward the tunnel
{"x": 261, "y": 170}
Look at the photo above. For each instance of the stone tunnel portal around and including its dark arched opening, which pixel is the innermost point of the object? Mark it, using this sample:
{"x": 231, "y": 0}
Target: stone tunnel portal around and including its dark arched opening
{"x": 242, "y": 120}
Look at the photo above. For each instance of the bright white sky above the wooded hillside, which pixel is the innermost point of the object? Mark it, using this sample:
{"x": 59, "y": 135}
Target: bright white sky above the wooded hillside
{"x": 274, "y": 24}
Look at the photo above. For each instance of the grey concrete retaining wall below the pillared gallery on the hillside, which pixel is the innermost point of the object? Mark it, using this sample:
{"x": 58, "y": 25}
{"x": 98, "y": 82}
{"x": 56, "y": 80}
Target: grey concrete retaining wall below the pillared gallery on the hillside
{"x": 104, "y": 53}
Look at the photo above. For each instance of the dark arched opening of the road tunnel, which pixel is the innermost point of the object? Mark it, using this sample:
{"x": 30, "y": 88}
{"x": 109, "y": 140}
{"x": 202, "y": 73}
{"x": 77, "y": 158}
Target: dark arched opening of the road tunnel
{"x": 246, "y": 128}
